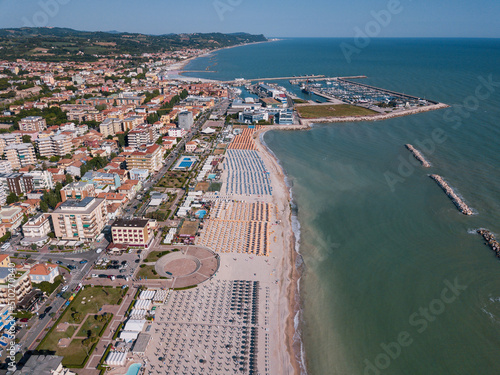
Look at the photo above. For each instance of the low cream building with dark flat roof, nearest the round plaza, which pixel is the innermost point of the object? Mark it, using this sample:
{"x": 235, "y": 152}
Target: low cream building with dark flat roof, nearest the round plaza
{"x": 132, "y": 232}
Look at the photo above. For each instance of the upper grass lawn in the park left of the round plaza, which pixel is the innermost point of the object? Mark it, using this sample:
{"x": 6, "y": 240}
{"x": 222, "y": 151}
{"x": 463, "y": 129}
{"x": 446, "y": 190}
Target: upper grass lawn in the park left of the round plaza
{"x": 95, "y": 298}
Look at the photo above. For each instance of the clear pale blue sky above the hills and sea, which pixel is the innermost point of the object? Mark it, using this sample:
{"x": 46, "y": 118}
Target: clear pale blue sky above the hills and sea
{"x": 273, "y": 18}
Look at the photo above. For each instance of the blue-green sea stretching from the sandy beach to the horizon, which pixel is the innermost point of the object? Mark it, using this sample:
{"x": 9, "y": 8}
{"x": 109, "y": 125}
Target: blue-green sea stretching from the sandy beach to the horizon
{"x": 394, "y": 279}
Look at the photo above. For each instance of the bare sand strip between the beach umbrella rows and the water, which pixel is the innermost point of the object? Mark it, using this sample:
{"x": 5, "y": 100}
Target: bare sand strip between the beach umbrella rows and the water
{"x": 291, "y": 273}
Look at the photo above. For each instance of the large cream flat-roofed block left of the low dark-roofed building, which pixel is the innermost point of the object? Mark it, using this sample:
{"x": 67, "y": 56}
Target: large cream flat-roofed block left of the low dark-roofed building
{"x": 80, "y": 219}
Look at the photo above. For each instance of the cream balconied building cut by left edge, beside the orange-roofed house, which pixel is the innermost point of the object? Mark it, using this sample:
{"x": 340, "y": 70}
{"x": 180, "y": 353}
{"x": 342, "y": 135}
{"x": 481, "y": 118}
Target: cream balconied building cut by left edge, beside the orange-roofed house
{"x": 15, "y": 285}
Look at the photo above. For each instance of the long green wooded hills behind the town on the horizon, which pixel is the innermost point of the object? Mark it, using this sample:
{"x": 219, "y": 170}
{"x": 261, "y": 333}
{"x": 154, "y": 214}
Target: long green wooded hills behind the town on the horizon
{"x": 61, "y": 44}
